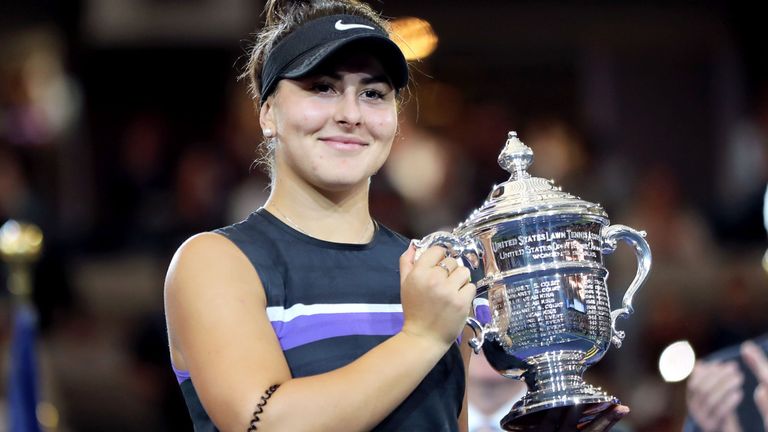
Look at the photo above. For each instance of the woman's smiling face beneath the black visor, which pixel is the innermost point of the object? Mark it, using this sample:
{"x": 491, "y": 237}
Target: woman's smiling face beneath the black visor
{"x": 335, "y": 128}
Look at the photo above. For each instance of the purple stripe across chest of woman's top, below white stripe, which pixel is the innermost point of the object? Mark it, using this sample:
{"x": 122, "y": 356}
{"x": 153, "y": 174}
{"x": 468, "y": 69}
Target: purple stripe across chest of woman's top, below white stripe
{"x": 311, "y": 328}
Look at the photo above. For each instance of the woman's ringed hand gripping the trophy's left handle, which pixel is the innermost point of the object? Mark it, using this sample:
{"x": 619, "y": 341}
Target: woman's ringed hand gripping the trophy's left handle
{"x": 436, "y": 294}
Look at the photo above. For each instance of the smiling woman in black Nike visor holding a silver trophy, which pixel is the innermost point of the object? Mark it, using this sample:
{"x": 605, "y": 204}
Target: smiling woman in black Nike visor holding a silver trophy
{"x": 299, "y": 318}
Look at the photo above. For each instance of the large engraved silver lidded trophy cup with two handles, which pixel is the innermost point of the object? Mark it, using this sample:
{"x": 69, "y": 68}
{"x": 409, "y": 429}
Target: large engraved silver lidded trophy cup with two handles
{"x": 542, "y": 312}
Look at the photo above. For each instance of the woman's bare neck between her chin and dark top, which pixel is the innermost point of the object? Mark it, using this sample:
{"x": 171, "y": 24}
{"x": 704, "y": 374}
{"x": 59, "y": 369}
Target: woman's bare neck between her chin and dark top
{"x": 335, "y": 216}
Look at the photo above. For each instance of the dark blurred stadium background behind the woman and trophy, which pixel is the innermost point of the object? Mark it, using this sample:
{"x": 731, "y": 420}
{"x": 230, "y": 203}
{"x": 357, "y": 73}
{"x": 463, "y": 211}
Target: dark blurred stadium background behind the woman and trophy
{"x": 123, "y": 130}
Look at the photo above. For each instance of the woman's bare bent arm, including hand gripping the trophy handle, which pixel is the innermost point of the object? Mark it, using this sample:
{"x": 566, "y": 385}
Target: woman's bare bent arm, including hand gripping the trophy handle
{"x": 216, "y": 310}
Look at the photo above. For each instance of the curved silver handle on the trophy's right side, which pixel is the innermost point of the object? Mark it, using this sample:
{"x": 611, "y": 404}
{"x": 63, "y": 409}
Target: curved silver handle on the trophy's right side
{"x": 611, "y": 235}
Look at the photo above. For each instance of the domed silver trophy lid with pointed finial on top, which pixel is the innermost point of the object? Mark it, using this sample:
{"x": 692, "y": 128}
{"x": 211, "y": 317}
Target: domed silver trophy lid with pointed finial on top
{"x": 523, "y": 195}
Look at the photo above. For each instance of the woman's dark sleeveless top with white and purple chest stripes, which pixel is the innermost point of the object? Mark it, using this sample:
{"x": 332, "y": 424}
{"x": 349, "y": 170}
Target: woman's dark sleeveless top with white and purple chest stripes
{"x": 330, "y": 303}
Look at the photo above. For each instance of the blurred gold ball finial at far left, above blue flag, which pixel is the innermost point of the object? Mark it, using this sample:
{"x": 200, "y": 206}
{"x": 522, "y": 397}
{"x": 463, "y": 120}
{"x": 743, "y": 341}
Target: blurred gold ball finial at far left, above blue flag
{"x": 20, "y": 247}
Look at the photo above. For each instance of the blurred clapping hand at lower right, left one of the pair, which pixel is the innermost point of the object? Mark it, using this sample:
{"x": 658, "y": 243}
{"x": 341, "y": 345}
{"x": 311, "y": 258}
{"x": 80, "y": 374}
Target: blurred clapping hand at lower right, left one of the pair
{"x": 714, "y": 390}
